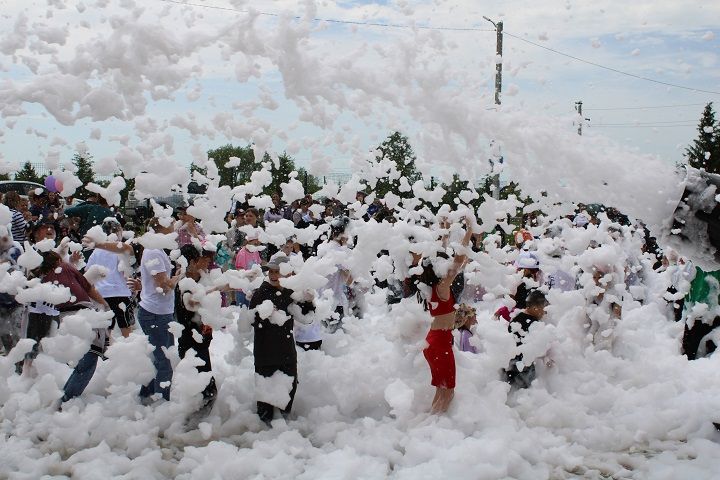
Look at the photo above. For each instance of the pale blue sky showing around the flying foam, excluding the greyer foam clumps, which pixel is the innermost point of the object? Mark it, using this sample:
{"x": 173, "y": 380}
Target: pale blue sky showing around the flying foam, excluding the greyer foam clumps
{"x": 662, "y": 41}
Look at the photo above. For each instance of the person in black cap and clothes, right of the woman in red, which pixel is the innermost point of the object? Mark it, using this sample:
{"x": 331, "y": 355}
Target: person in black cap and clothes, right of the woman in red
{"x": 519, "y": 326}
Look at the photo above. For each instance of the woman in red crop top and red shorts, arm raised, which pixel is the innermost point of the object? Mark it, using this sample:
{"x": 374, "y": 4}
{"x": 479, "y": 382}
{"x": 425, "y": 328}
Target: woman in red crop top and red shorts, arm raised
{"x": 439, "y": 353}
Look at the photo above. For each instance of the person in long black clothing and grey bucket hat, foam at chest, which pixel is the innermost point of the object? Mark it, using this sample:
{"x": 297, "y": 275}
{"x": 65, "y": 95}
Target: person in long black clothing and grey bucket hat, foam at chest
{"x": 274, "y": 346}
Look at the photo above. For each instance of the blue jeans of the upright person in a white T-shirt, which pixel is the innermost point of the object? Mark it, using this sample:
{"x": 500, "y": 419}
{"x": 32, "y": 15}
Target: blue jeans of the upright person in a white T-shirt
{"x": 156, "y": 327}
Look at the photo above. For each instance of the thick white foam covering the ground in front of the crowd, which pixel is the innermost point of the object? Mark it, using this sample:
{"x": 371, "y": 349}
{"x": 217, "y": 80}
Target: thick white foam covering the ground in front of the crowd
{"x": 361, "y": 411}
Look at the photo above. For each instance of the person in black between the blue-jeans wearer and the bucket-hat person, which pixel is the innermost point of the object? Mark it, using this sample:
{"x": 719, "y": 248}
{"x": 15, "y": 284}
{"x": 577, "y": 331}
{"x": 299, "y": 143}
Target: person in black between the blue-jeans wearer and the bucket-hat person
{"x": 198, "y": 262}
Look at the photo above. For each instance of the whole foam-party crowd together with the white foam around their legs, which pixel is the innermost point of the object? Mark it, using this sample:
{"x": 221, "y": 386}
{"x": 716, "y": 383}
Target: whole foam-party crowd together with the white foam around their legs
{"x": 385, "y": 328}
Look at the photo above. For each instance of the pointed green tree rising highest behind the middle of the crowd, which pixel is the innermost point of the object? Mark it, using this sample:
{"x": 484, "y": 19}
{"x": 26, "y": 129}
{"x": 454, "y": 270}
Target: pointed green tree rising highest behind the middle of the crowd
{"x": 397, "y": 149}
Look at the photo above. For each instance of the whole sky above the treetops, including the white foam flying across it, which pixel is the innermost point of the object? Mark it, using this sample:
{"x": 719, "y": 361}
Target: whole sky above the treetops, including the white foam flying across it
{"x": 162, "y": 79}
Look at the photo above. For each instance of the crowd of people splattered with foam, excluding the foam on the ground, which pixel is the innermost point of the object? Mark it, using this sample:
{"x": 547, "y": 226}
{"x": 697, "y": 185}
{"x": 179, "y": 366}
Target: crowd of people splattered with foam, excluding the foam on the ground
{"x": 86, "y": 260}
